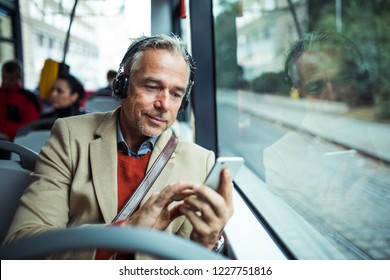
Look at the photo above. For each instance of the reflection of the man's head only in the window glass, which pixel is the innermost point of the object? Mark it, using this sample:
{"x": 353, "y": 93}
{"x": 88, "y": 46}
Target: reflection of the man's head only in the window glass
{"x": 327, "y": 66}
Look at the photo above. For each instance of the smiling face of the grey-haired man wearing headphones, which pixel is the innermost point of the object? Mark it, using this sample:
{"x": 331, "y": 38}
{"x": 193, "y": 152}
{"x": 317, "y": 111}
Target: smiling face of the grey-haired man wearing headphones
{"x": 155, "y": 93}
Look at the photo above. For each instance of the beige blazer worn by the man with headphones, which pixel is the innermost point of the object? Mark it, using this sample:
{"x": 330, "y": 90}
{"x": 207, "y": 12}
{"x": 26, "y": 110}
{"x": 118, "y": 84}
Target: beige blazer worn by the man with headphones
{"x": 75, "y": 179}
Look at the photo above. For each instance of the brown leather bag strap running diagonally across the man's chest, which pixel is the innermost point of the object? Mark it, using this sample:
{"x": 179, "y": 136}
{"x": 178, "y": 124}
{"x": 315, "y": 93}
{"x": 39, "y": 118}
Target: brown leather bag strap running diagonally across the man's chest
{"x": 150, "y": 177}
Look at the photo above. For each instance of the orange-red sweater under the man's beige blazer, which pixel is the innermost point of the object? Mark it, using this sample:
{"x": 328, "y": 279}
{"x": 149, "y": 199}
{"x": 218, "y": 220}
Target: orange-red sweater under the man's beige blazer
{"x": 131, "y": 171}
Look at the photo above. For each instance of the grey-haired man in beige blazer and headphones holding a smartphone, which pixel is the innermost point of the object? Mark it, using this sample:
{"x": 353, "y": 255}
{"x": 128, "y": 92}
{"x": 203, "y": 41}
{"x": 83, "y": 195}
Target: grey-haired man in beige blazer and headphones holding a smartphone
{"x": 92, "y": 164}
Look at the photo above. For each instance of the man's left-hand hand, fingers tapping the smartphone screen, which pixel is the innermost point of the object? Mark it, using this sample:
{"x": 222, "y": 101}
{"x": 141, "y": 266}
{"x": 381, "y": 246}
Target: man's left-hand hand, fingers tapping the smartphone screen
{"x": 155, "y": 214}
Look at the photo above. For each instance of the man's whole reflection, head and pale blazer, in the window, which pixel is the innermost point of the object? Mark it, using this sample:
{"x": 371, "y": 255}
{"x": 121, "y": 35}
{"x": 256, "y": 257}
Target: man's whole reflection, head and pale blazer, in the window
{"x": 334, "y": 188}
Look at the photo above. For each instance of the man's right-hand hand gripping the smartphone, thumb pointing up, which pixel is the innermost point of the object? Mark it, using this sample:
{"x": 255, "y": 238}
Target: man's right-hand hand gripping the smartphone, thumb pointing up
{"x": 209, "y": 211}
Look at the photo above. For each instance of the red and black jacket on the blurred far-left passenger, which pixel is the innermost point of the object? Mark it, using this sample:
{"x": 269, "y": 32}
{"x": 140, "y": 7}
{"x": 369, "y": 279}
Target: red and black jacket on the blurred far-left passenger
{"x": 17, "y": 108}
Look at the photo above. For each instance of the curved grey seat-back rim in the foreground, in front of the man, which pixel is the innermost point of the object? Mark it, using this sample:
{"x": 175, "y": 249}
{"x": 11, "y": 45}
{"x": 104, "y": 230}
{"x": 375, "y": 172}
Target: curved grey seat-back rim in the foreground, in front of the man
{"x": 132, "y": 239}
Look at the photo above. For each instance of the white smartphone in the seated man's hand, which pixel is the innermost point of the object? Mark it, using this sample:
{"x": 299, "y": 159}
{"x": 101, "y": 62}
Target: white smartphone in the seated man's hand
{"x": 232, "y": 163}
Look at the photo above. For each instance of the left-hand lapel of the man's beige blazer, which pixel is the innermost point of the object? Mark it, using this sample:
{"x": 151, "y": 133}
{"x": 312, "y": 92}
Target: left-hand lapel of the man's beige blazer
{"x": 103, "y": 156}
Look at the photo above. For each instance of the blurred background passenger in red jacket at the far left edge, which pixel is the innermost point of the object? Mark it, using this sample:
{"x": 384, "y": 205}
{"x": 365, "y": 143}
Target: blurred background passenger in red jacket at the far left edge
{"x": 18, "y": 106}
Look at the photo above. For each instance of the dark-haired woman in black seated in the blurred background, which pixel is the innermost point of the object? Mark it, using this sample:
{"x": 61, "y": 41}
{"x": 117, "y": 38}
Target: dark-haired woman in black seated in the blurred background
{"x": 65, "y": 98}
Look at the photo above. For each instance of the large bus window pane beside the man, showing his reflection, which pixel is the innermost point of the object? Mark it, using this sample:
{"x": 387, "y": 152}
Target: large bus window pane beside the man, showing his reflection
{"x": 303, "y": 95}
